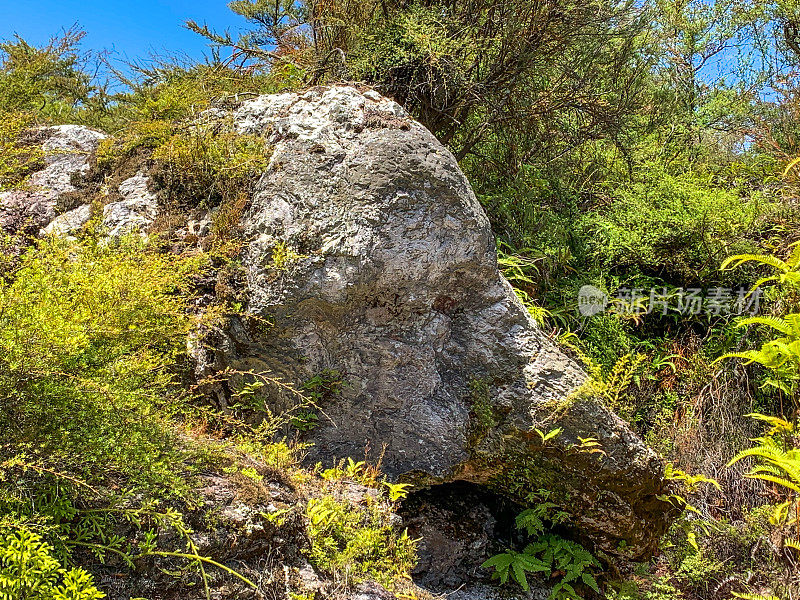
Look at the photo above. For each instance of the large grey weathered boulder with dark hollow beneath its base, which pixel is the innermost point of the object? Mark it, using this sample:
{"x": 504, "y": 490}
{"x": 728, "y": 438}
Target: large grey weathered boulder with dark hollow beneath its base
{"x": 369, "y": 256}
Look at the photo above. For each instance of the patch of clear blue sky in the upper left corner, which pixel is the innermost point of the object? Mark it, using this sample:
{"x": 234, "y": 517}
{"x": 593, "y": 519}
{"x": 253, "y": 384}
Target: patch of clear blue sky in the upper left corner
{"x": 131, "y": 28}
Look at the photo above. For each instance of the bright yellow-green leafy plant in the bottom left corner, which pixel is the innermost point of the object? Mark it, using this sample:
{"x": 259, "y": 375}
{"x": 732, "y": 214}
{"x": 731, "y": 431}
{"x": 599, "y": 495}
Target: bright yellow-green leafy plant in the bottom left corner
{"x": 29, "y": 571}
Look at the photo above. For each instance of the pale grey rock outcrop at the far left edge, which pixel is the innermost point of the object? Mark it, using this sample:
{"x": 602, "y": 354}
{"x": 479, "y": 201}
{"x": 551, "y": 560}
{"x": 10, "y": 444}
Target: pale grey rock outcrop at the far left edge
{"x": 67, "y": 151}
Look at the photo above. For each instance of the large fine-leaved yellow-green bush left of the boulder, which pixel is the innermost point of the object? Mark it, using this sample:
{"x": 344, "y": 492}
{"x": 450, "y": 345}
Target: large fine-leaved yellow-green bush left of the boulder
{"x": 89, "y": 334}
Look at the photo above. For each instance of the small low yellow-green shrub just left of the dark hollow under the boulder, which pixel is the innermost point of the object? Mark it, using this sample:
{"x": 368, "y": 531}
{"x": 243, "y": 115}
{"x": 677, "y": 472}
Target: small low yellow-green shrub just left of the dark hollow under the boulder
{"x": 358, "y": 542}
